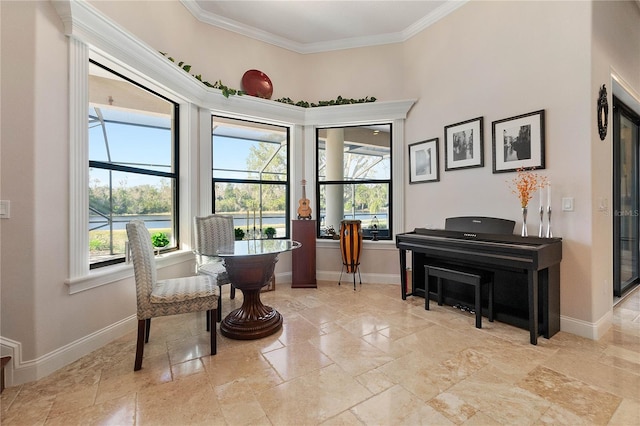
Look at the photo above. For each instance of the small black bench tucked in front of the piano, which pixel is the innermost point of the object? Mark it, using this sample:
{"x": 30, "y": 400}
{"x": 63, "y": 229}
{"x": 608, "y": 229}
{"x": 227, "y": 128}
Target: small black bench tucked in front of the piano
{"x": 474, "y": 277}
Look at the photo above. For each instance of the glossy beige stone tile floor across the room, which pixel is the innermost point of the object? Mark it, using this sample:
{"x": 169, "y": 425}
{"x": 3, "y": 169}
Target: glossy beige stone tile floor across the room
{"x": 347, "y": 357}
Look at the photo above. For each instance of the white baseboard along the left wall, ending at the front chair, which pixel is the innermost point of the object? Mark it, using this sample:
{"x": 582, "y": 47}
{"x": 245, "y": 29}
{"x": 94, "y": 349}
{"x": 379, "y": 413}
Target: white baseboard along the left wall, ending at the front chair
{"x": 19, "y": 371}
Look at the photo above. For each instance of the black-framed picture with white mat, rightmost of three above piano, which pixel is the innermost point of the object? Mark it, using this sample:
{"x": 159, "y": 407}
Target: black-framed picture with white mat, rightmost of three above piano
{"x": 518, "y": 142}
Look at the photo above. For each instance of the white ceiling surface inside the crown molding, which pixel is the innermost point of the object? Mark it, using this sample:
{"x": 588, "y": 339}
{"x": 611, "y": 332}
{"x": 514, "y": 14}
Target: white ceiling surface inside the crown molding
{"x": 310, "y": 26}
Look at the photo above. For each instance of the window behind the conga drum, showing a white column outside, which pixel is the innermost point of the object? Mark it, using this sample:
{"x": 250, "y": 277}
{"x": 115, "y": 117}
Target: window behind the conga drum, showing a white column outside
{"x": 354, "y": 179}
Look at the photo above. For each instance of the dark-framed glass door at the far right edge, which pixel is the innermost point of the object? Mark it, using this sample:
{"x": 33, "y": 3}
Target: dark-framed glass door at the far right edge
{"x": 626, "y": 191}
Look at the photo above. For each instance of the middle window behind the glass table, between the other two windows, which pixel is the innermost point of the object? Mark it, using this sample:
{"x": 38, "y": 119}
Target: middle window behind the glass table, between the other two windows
{"x": 250, "y": 174}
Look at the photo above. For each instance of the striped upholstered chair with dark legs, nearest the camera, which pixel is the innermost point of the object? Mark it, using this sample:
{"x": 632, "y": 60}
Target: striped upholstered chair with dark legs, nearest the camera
{"x": 173, "y": 296}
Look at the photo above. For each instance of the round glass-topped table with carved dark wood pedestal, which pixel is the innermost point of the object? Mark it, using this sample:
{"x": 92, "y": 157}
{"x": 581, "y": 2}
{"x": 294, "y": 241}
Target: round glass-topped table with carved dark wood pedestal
{"x": 250, "y": 265}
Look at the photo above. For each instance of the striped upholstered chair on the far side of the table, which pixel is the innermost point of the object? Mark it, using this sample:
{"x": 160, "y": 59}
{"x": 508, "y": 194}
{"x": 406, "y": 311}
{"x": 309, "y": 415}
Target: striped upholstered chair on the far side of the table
{"x": 212, "y": 233}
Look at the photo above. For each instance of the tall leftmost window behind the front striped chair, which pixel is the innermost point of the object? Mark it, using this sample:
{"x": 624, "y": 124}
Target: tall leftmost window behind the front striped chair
{"x": 132, "y": 163}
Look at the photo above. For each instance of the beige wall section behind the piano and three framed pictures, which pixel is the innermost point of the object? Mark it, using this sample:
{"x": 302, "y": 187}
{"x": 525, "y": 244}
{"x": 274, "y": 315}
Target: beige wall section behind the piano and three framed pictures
{"x": 499, "y": 60}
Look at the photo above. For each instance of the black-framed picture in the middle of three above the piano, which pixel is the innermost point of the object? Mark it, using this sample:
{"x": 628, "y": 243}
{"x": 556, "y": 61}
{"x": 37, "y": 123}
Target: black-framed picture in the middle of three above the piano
{"x": 463, "y": 145}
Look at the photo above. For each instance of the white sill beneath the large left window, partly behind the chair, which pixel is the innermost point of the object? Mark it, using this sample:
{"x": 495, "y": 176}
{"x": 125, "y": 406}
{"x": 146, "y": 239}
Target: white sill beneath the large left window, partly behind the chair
{"x": 111, "y": 274}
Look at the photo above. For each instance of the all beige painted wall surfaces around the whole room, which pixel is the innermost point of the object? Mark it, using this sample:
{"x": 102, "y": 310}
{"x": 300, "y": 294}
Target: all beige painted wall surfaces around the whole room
{"x": 490, "y": 59}
